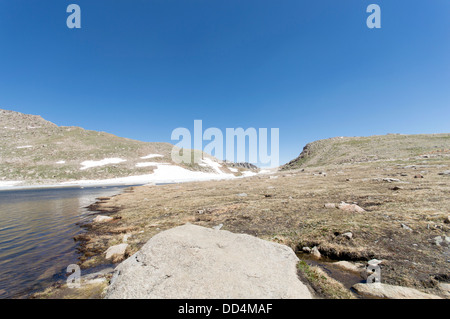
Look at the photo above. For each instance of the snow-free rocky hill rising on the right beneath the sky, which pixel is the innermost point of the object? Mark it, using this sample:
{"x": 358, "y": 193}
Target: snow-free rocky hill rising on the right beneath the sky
{"x": 391, "y": 147}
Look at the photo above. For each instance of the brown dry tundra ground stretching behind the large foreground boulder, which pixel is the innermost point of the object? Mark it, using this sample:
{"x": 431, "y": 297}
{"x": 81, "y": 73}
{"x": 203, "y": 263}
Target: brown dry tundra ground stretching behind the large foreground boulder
{"x": 289, "y": 207}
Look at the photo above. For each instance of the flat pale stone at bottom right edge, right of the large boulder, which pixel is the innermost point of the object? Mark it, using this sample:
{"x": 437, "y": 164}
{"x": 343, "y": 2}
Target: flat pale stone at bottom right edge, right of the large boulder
{"x": 380, "y": 290}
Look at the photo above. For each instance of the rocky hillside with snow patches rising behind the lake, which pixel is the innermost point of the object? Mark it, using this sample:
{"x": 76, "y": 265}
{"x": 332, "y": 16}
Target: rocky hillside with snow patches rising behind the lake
{"x": 39, "y": 152}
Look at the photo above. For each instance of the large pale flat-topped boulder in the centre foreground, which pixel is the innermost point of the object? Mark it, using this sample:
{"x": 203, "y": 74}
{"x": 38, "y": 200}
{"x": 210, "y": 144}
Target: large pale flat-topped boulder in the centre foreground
{"x": 196, "y": 262}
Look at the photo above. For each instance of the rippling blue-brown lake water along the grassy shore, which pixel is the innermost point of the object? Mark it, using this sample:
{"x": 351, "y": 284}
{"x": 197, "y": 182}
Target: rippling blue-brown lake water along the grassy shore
{"x": 36, "y": 235}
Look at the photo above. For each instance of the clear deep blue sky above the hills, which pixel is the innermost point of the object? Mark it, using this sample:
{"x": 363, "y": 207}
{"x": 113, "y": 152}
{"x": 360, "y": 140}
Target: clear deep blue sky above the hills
{"x": 141, "y": 68}
